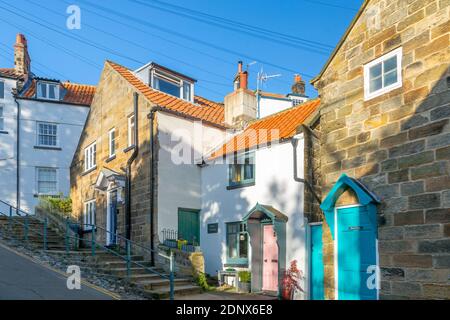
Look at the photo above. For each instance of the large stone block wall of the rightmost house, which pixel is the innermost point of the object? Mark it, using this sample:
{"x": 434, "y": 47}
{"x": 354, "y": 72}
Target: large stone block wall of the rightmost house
{"x": 397, "y": 144}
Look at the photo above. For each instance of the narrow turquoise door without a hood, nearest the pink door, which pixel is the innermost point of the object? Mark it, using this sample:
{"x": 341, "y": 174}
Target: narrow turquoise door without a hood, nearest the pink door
{"x": 316, "y": 267}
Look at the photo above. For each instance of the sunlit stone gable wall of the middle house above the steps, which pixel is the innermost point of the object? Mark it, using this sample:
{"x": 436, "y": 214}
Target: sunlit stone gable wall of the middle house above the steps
{"x": 112, "y": 105}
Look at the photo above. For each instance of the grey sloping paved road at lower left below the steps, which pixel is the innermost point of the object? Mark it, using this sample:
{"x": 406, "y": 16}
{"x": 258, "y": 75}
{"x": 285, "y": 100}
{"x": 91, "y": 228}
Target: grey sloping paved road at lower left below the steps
{"x": 21, "y": 278}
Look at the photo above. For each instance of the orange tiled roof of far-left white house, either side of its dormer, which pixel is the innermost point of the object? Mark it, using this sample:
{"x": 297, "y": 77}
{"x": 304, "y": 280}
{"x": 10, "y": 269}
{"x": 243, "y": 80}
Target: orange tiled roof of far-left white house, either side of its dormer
{"x": 73, "y": 93}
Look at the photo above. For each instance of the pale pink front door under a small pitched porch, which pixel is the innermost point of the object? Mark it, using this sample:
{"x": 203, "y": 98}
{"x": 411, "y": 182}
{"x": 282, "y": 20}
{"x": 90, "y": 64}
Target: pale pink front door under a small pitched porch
{"x": 270, "y": 259}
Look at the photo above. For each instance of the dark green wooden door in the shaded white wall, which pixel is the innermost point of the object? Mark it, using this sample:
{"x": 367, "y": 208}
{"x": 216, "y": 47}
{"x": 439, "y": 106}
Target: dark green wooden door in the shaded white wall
{"x": 189, "y": 225}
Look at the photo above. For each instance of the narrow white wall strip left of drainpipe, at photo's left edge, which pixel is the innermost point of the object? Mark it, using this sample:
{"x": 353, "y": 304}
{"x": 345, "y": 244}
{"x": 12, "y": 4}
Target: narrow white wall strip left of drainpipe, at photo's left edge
{"x": 8, "y": 166}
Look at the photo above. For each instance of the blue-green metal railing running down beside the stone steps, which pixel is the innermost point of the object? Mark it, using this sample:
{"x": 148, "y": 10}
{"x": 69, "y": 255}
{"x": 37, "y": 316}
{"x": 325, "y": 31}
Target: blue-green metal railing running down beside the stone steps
{"x": 122, "y": 247}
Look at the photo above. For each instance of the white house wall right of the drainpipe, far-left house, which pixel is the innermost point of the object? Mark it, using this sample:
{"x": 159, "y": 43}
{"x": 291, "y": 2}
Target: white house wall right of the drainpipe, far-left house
{"x": 70, "y": 120}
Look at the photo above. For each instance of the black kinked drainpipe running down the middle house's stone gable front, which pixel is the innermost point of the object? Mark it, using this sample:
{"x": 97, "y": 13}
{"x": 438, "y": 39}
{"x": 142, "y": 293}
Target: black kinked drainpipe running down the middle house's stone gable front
{"x": 128, "y": 169}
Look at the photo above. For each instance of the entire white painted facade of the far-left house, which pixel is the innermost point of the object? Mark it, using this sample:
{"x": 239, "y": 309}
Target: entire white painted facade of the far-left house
{"x": 70, "y": 120}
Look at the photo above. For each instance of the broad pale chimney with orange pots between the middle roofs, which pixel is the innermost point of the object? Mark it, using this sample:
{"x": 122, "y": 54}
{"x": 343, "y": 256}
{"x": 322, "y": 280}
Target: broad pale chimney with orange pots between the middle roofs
{"x": 240, "y": 105}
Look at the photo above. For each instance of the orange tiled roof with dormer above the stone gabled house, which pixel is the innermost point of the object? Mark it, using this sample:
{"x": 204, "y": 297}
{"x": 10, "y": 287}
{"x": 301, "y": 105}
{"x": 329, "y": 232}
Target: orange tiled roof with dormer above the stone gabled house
{"x": 202, "y": 108}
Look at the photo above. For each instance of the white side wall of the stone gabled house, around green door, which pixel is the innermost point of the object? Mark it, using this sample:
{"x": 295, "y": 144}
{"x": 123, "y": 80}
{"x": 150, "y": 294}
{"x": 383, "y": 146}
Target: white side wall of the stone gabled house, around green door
{"x": 179, "y": 184}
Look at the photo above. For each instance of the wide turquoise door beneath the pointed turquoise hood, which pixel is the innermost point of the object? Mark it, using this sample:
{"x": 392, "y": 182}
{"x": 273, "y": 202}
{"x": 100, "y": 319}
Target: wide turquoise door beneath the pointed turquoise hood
{"x": 356, "y": 247}
